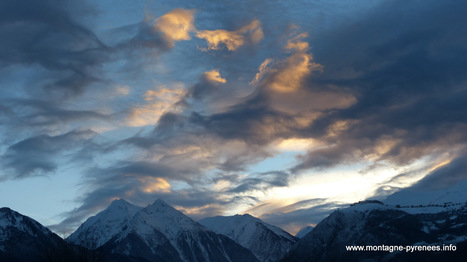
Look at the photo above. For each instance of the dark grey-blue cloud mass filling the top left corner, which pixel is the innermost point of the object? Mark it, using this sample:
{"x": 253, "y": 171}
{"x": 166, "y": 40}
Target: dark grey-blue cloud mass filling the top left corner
{"x": 45, "y": 33}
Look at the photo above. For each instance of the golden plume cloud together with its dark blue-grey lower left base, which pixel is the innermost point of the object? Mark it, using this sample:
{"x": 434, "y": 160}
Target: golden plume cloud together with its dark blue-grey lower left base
{"x": 282, "y": 105}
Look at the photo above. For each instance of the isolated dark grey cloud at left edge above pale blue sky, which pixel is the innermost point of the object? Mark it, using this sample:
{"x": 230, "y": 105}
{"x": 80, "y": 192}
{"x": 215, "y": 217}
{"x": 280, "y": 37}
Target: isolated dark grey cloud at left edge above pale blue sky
{"x": 37, "y": 155}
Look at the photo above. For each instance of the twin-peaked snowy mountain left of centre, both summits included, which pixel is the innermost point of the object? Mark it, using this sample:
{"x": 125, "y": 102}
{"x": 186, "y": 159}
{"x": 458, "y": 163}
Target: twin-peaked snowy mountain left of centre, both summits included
{"x": 156, "y": 232}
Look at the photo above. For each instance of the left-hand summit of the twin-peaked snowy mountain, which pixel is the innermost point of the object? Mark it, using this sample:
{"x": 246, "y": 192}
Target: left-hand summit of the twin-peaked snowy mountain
{"x": 102, "y": 227}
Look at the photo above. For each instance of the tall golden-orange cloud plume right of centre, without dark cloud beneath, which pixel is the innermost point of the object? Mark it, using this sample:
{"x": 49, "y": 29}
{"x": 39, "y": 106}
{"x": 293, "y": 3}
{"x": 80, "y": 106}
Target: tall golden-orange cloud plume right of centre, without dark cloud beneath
{"x": 284, "y": 82}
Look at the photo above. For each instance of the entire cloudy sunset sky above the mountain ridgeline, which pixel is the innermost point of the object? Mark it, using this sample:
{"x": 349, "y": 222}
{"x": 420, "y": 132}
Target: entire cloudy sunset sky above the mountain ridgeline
{"x": 284, "y": 110}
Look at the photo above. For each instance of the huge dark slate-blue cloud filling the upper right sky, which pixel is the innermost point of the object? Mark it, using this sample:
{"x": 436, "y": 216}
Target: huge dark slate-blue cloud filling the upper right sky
{"x": 404, "y": 63}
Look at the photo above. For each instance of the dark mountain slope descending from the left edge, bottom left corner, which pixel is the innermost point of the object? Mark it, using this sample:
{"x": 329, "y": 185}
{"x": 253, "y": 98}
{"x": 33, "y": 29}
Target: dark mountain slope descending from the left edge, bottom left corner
{"x": 24, "y": 239}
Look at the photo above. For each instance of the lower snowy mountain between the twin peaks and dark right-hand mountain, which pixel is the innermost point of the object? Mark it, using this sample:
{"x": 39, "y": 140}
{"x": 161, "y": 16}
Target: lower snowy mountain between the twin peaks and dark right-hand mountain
{"x": 266, "y": 242}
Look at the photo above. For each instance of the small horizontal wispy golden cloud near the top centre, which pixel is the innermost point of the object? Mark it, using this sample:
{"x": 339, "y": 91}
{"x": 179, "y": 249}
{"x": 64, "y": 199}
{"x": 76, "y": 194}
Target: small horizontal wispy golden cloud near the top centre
{"x": 232, "y": 40}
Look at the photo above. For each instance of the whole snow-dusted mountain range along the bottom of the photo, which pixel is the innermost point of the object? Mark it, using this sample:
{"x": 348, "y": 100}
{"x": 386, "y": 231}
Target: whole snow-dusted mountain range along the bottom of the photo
{"x": 158, "y": 232}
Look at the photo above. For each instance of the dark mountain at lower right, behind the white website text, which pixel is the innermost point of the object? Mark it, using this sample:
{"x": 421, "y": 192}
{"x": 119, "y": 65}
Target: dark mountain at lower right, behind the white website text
{"x": 373, "y": 224}
